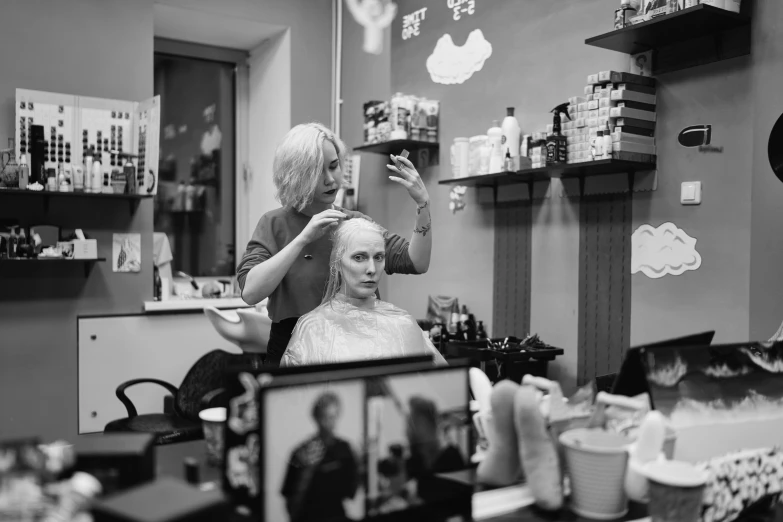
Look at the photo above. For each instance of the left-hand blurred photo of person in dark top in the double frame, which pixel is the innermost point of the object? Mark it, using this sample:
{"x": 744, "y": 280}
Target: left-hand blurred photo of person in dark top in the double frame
{"x": 317, "y": 476}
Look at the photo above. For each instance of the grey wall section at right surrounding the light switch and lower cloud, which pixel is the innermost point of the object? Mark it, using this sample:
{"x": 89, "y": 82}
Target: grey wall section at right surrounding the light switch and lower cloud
{"x": 714, "y": 297}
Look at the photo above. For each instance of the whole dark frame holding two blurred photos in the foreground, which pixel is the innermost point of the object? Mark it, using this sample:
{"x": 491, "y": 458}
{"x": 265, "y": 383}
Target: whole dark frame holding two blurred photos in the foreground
{"x": 300, "y": 446}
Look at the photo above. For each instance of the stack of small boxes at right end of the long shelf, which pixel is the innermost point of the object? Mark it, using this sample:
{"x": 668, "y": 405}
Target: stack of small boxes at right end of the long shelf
{"x": 622, "y": 103}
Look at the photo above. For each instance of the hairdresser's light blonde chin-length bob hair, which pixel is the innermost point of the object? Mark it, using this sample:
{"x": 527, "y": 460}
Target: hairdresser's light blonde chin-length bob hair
{"x": 299, "y": 163}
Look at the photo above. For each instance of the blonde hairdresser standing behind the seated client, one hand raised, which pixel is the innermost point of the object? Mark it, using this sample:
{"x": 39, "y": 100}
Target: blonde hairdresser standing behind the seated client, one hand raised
{"x": 287, "y": 259}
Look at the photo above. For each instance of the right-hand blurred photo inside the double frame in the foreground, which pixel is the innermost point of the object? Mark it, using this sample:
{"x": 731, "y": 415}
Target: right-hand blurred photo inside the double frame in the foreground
{"x": 416, "y": 430}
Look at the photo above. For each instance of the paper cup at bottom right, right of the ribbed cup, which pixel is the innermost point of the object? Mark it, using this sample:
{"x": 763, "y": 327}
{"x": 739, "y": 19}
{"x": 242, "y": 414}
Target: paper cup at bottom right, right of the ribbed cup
{"x": 676, "y": 491}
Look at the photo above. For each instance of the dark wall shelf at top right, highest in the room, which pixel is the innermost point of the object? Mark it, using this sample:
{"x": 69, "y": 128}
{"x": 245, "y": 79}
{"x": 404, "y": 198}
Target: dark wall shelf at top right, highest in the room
{"x": 694, "y": 36}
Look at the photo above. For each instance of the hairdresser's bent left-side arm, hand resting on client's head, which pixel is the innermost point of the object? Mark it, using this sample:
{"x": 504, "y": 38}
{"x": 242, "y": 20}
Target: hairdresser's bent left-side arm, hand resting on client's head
{"x": 260, "y": 280}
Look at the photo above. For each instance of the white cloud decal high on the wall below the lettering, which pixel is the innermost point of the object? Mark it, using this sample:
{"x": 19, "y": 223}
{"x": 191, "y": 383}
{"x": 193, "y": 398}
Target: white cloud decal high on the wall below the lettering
{"x": 450, "y": 64}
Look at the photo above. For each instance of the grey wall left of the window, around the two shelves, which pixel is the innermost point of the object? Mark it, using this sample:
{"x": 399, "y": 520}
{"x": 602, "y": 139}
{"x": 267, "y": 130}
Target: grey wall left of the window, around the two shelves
{"x": 89, "y": 48}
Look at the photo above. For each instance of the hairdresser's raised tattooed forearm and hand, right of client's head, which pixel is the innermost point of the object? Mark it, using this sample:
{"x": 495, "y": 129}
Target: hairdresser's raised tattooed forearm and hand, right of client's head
{"x": 420, "y": 249}
